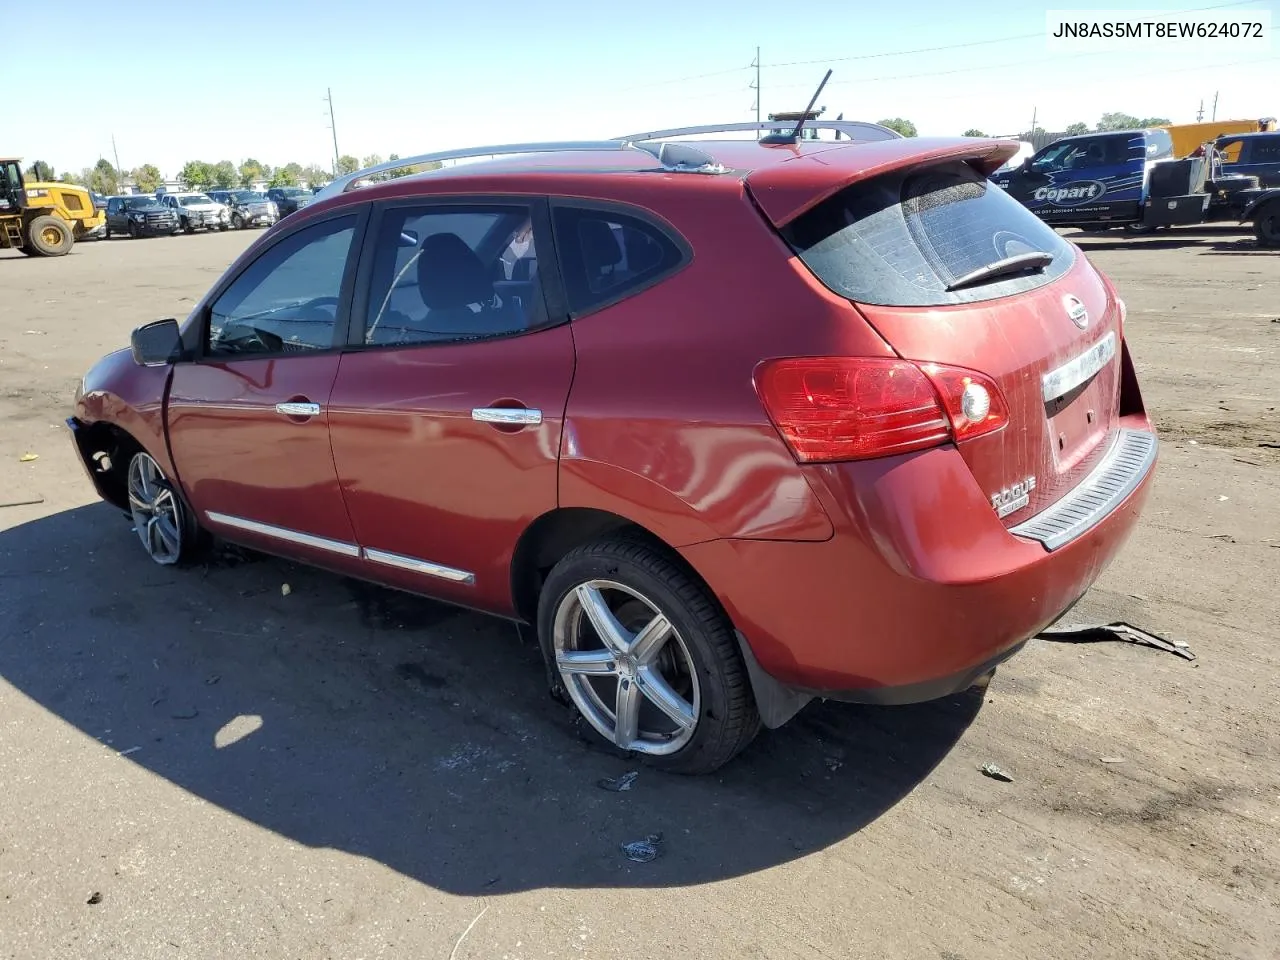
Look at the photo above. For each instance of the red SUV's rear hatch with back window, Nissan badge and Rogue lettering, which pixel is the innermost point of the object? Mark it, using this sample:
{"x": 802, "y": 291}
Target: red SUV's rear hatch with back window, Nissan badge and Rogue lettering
{"x": 950, "y": 271}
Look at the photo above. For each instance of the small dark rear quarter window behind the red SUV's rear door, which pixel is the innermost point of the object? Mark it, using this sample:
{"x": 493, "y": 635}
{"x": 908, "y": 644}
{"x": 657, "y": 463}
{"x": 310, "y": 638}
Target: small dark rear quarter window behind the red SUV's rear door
{"x": 609, "y": 255}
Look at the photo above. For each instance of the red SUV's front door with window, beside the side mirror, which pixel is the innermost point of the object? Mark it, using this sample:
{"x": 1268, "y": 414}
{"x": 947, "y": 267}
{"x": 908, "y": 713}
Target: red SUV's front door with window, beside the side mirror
{"x": 249, "y": 419}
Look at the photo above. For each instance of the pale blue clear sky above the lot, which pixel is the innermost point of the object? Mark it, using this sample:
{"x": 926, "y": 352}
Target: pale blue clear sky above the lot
{"x": 414, "y": 76}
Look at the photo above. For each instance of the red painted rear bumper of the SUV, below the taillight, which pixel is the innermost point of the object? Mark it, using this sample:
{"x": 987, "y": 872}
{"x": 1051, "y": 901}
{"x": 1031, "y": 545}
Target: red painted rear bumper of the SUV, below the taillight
{"x": 921, "y": 591}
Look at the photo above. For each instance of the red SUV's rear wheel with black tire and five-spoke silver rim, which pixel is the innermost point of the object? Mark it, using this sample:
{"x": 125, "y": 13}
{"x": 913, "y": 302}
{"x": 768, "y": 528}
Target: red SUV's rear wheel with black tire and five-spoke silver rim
{"x": 647, "y": 657}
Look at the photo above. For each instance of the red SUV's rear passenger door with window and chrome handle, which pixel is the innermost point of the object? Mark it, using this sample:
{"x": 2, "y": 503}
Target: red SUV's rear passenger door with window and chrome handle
{"x": 446, "y": 417}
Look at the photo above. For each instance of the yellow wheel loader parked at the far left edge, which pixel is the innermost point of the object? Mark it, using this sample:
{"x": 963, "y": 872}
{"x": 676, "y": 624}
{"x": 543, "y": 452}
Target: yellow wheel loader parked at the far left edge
{"x": 43, "y": 220}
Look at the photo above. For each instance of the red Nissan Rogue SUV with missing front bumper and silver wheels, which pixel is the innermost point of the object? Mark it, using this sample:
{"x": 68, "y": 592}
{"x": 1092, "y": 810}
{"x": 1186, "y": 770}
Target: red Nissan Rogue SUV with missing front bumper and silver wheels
{"x": 734, "y": 424}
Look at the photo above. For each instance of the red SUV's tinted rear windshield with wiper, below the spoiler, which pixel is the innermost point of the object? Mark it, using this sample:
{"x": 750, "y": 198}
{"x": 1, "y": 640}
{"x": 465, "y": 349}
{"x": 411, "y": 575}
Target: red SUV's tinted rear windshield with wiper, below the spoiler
{"x": 904, "y": 239}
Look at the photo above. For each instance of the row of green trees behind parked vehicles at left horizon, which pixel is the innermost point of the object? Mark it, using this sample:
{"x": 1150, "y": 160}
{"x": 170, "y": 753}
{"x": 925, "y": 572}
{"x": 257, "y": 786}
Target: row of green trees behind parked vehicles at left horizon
{"x": 200, "y": 176}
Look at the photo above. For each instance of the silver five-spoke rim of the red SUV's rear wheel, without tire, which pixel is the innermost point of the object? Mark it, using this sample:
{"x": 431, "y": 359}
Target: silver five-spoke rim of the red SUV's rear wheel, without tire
{"x": 627, "y": 668}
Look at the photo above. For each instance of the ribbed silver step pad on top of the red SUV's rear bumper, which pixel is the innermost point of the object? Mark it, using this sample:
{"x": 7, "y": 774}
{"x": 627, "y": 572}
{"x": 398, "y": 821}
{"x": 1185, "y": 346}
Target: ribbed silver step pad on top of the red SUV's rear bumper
{"x": 1124, "y": 467}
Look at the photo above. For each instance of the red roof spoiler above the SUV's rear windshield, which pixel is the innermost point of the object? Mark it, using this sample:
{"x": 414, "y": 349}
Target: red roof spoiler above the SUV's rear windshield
{"x": 788, "y": 190}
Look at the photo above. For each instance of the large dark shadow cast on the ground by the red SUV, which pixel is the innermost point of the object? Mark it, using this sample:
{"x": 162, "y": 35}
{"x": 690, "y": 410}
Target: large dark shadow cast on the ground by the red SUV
{"x": 350, "y": 717}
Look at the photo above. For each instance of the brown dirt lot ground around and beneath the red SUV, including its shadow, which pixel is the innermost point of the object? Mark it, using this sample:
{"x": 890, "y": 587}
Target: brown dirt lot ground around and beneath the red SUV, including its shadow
{"x": 196, "y": 766}
